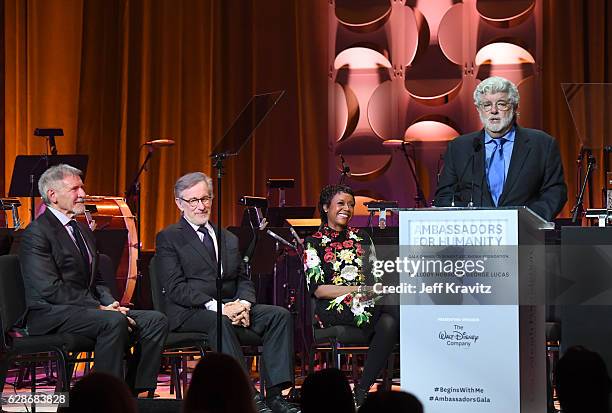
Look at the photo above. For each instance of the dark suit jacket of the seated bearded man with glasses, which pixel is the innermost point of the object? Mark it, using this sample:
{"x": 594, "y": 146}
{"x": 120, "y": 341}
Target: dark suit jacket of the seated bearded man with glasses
{"x": 188, "y": 274}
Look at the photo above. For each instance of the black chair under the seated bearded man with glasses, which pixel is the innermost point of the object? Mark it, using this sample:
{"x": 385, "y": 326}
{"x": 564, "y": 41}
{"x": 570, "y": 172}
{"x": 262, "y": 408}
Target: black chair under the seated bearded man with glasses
{"x": 181, "y": 344}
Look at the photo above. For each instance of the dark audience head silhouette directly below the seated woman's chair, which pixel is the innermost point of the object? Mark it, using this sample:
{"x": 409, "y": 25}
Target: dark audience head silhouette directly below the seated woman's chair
{"x": 327, "y": 391}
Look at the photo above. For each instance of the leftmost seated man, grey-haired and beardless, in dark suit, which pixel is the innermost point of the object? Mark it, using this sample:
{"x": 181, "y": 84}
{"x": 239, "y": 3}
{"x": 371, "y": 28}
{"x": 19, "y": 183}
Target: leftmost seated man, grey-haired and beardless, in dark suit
{"x": 65, "y": 292}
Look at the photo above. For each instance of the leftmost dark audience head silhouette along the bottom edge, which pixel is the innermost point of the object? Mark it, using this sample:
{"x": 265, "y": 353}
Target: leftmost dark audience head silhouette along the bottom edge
{"x": 86, "y": 395}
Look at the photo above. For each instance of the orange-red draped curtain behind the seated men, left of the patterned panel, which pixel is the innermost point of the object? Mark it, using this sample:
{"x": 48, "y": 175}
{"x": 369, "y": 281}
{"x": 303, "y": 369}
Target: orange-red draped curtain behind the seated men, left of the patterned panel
{"x": 115, "y": 73}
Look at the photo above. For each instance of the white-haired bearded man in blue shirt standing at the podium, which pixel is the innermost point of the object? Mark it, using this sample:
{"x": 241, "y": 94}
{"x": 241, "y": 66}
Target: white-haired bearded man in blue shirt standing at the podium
{"x": 502, "y": 164}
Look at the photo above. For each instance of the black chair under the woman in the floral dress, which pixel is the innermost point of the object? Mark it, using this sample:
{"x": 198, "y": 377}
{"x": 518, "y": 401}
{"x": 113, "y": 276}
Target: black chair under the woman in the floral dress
{"x": 342, "y": 340}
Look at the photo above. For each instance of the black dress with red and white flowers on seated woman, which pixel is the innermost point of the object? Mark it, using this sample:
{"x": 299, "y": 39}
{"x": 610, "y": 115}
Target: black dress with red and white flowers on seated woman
{"x": 340, "y": 258}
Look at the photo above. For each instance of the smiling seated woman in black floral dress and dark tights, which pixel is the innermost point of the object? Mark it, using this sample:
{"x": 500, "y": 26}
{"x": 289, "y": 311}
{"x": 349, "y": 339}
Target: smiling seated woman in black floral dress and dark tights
{"x": 338, "y": 271}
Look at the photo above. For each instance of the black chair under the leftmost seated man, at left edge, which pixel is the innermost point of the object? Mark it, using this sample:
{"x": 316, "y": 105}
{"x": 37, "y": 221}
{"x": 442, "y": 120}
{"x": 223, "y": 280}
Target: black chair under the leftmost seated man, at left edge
{"x": 31, "y": 349}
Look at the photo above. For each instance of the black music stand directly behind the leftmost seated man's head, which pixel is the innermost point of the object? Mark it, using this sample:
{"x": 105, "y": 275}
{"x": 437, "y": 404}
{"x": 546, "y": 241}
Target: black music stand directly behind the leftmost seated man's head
{"x": 28, "y": 169}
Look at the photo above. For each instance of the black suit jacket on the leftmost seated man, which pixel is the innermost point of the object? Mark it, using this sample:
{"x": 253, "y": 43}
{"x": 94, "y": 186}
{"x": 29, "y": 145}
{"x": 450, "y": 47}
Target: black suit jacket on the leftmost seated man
{"x": 56, "y": 281}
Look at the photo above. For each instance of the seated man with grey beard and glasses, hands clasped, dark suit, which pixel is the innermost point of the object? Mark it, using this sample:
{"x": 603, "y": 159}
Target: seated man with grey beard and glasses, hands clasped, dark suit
{"x": 186, "y": 258}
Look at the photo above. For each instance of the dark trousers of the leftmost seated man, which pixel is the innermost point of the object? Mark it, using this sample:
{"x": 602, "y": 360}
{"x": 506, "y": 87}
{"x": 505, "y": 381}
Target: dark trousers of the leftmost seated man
{"x": 110, "y": 330}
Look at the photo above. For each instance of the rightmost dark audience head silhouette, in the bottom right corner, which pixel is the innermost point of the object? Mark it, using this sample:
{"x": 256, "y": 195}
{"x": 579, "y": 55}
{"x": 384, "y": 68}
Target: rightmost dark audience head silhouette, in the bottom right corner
{"x": 583, "y": 384}
